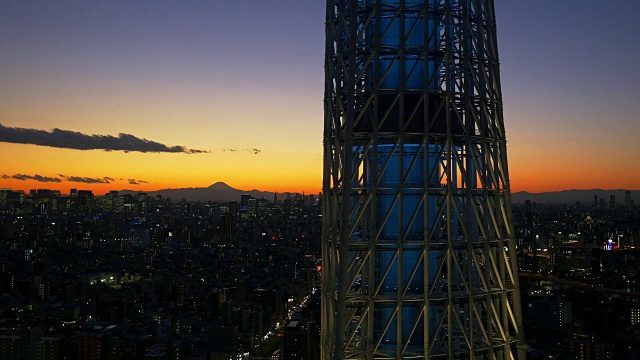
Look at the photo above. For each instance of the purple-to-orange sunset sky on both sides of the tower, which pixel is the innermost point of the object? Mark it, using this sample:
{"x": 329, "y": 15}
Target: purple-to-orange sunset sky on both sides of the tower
{"x": 233, "y": 76}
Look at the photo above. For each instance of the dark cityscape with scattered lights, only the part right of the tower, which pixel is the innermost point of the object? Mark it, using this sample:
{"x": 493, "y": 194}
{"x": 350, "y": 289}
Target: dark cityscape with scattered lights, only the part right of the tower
{"x": 579, "y": 272}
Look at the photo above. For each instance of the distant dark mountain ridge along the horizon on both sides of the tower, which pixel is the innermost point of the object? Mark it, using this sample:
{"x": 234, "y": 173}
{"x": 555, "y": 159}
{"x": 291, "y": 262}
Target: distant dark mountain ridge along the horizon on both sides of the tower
{"x": 221, "y": 192}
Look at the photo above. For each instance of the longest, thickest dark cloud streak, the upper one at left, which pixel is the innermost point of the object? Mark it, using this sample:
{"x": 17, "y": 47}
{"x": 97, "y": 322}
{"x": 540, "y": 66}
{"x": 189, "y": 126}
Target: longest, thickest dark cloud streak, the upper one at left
{"x": 78, "y": 141}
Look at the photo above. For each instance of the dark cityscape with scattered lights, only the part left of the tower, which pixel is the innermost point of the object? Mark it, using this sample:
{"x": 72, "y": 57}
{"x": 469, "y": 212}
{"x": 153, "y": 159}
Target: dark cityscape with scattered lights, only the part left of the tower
{"x": 129, "y": 276}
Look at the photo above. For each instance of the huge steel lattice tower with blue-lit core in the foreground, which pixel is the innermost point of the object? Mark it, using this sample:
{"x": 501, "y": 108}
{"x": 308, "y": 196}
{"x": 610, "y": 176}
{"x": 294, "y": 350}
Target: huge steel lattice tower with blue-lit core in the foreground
{"x": 419, "y": 258}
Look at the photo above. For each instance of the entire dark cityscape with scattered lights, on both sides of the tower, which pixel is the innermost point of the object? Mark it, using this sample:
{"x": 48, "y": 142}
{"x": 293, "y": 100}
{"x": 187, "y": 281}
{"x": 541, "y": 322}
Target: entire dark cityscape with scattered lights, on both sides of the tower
{"x": 139, "y": 277}
